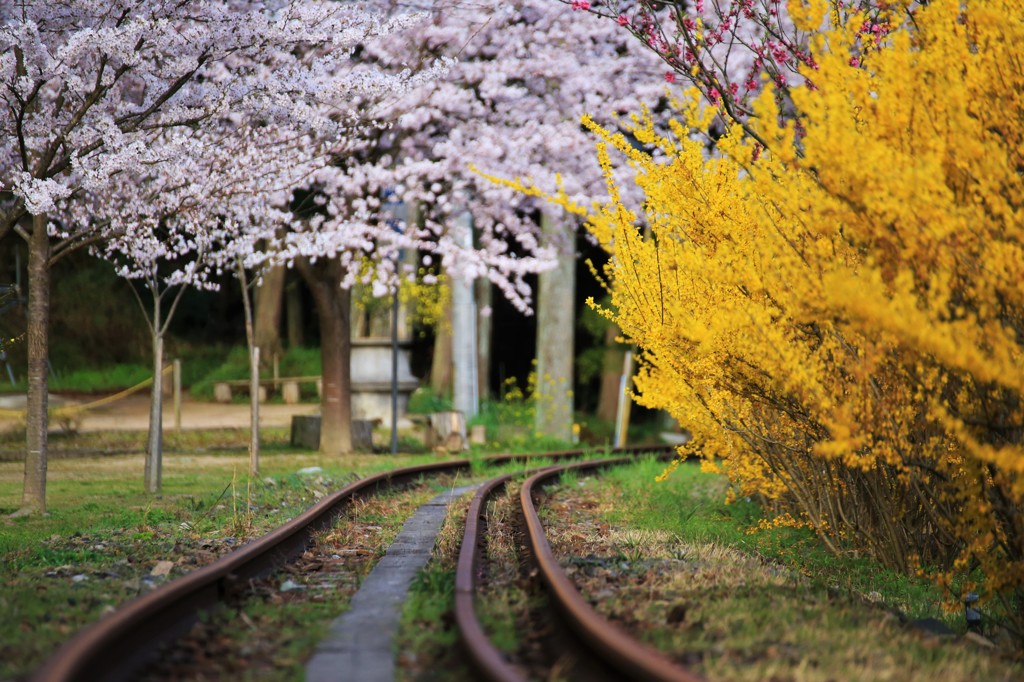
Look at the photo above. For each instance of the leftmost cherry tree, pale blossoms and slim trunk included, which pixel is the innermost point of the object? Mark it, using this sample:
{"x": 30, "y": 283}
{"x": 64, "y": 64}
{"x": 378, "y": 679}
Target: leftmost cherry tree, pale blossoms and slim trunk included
{"x": 98, "y": 94}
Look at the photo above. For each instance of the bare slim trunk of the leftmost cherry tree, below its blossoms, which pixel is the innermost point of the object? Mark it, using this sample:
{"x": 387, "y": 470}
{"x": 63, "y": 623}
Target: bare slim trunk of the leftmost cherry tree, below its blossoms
{"x": 37, "y": 420}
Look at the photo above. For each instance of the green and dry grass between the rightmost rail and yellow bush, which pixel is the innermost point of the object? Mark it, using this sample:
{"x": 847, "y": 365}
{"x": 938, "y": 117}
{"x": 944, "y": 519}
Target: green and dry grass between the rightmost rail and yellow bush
{"x": 676, "y": 566}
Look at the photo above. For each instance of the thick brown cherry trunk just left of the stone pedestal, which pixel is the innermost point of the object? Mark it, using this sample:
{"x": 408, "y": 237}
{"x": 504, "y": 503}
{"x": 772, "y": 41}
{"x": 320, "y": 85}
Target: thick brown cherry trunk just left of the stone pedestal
{"x": 334, "y": 308}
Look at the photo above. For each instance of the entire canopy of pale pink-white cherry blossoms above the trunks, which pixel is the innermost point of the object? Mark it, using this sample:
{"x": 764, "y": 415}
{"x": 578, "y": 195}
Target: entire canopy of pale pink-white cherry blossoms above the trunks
{"x": 172, "y": 137}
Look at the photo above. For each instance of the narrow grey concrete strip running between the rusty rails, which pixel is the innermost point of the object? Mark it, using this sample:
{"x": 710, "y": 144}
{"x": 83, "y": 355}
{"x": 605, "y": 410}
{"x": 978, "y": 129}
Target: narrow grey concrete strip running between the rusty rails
{"x": 361, "y": 643}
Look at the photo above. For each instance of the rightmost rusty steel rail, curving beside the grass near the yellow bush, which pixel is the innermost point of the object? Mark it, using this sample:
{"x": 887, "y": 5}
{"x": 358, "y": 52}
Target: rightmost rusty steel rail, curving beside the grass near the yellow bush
{"x": 630, "y": 657}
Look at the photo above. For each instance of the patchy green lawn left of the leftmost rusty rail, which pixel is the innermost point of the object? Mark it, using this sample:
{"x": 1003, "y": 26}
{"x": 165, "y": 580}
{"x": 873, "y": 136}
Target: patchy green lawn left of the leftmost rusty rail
{"x": 104, "y": 536}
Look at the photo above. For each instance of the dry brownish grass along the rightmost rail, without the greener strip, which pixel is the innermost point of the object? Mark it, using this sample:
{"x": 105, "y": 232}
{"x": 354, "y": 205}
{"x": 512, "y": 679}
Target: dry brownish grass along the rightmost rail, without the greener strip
{"x": 734, "y": 616}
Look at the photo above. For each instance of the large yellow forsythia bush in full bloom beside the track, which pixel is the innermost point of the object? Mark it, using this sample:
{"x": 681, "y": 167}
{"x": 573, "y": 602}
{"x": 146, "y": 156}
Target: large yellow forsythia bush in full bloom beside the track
{"x": 839, "y": 316}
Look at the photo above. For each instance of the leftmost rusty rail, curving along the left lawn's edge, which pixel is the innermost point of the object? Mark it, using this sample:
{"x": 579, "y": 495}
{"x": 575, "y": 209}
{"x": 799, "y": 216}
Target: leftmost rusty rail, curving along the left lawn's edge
{"x": 121, "y": 644}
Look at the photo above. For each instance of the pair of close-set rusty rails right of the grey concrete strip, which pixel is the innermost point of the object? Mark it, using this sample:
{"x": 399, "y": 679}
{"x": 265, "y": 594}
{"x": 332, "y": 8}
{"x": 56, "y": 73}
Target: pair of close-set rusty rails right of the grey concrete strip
{"x": 618, "y": 655}
